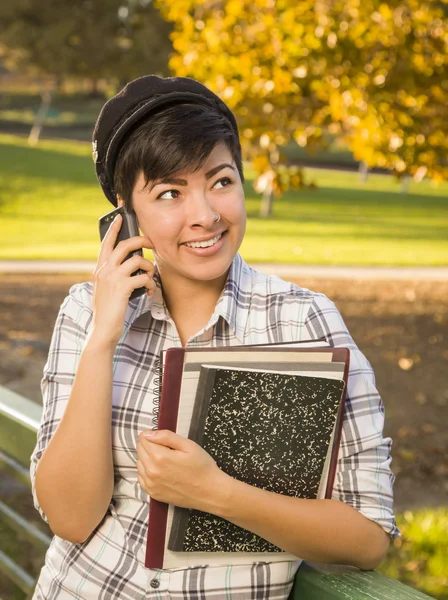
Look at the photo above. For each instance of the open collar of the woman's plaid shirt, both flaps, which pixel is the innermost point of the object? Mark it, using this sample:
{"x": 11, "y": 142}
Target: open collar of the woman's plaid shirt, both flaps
{"x": 233, "y": 304}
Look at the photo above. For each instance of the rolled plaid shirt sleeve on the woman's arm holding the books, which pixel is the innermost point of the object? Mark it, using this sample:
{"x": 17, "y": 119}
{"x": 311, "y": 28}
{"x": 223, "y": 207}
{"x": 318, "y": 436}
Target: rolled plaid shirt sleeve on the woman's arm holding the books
{"x": 363, "y": 475}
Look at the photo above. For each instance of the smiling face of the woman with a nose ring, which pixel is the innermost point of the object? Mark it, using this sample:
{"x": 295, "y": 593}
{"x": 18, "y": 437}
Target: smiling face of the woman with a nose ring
{"x": 179, "y": 214}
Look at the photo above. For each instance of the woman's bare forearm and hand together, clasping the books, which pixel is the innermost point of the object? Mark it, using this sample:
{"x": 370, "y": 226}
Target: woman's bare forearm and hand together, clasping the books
{"x": 178, "y": 471}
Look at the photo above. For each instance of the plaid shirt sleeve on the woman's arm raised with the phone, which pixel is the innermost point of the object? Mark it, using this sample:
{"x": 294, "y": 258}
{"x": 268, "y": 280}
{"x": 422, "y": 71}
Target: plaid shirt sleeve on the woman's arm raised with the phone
{"x": 69, "y": 335}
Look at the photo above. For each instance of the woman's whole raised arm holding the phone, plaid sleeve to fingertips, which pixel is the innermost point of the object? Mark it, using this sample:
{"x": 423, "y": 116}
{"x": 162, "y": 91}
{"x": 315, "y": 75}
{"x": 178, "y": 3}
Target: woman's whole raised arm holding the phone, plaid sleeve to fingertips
{"x": 74, "y": 478}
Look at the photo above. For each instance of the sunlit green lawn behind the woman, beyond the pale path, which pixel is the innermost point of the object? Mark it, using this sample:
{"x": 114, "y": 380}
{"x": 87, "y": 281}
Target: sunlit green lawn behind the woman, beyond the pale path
{"x": 50, "y": 202}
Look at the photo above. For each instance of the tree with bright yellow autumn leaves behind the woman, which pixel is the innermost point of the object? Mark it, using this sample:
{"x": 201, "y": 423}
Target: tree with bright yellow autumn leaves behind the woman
{"x": 372, "y": 72}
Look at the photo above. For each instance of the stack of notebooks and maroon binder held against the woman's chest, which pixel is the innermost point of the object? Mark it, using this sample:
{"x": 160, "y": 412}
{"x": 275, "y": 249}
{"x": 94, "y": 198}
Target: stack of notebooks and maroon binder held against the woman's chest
{"x": 270, "y": 416}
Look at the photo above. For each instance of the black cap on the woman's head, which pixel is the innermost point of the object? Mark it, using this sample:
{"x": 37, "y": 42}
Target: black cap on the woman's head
{"x": 135, "y": 101}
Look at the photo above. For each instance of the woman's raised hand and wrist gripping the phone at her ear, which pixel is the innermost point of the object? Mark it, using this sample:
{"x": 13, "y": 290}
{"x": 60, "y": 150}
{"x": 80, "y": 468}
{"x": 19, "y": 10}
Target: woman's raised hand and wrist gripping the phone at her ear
{"x": 113, "y": 284}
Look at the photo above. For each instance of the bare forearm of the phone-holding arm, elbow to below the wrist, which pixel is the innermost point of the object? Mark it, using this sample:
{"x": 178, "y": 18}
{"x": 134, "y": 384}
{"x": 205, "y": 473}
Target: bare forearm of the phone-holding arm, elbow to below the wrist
{"x": 75, "y": 475}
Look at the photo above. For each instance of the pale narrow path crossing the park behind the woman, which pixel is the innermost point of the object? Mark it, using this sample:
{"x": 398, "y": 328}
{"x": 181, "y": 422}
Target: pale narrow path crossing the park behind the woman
{"x": 282, "y": 270}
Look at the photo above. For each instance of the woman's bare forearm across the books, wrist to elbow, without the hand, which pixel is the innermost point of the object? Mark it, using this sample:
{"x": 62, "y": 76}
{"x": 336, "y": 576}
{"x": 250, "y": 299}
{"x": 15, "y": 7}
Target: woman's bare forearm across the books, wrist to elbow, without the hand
{"x": 325, "y": 531}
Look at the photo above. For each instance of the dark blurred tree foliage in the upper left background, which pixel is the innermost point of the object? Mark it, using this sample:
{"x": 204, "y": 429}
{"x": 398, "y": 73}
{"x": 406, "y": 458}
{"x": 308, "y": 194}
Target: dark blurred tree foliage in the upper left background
{"x": 89, "y": 39}
